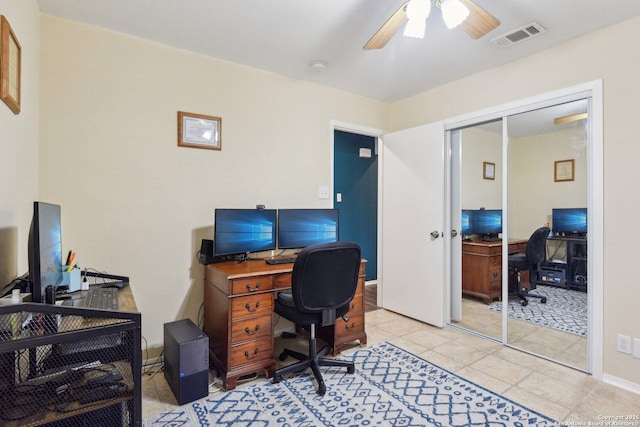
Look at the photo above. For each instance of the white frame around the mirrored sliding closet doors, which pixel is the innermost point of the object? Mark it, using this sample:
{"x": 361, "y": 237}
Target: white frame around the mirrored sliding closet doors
{"x": 593, "y": 91}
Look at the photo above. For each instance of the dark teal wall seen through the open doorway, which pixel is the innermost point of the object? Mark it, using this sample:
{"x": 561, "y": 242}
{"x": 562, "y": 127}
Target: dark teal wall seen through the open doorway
{"x": 356, "y": 178}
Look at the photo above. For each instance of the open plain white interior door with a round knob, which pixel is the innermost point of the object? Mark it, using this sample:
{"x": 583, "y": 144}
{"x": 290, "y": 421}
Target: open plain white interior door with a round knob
{"x": 413, "y": 238}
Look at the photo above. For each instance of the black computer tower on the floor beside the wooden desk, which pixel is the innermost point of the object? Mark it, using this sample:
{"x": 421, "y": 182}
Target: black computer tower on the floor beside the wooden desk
{"x": 186, "y": 360}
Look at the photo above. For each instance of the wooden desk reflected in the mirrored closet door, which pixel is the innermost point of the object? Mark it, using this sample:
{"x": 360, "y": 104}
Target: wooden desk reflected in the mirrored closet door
{"x": 482, "y": 268}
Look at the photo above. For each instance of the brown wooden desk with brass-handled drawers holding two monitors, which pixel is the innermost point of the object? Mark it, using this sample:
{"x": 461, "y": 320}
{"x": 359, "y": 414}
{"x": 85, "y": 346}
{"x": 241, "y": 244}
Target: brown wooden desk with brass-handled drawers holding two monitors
{"x": 238, "y": 316}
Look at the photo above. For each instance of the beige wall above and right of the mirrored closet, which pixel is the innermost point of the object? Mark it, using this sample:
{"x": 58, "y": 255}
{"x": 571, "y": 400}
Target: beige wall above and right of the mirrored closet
{"x": 610, "y": 55}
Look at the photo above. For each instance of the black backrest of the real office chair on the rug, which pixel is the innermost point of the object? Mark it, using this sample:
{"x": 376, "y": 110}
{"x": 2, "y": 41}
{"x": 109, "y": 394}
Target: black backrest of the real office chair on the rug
{"x": 325, "y": 276}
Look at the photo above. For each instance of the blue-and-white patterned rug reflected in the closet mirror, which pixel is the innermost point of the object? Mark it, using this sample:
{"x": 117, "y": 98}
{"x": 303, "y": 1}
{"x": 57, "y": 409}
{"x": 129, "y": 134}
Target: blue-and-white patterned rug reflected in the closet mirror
{"x": 565, "y": 310}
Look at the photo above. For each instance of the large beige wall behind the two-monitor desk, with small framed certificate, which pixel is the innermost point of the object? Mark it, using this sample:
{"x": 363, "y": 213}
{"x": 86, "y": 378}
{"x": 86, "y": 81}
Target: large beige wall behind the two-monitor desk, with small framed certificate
{"x": 135, "y": 203}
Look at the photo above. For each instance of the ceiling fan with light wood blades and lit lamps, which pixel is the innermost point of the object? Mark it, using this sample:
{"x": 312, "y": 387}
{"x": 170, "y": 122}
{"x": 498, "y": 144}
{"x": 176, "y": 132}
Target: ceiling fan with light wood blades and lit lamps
{"x": 474, "y": 20}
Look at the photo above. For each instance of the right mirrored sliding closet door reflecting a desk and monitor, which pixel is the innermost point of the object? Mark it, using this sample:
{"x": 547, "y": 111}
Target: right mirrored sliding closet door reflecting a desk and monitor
{"x": 547, "y": 173}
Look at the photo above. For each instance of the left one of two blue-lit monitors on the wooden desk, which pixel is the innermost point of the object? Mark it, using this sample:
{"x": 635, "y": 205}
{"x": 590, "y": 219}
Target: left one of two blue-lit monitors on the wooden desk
{"x": 239, "y": 231}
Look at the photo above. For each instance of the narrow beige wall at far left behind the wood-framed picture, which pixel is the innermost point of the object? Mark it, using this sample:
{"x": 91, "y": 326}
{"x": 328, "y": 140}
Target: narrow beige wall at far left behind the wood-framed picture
{"x": 19, "y": 136}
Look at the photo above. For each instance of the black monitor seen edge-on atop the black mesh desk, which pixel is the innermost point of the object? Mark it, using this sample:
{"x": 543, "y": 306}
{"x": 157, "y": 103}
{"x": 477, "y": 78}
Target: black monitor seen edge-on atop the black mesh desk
{"x": 44, "y": 249}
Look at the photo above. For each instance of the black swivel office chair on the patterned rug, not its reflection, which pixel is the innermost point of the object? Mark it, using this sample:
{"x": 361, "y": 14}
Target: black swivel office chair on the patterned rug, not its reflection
{"x": 323, "y": 283}
